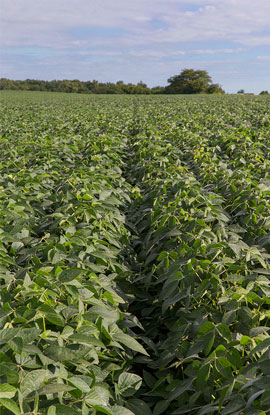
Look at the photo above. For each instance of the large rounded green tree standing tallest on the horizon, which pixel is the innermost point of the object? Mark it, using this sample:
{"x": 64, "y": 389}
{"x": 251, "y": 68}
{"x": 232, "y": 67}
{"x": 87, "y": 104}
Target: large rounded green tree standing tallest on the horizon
{"x": 191, "y": 81}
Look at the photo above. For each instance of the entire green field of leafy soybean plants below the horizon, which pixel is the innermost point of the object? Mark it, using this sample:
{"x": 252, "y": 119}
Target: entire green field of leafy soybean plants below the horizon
{"x": 134, "y": 254}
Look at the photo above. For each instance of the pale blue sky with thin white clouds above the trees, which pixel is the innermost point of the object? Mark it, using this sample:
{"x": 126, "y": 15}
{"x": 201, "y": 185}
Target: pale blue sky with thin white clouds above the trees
{"x": 133, "y": 40}
